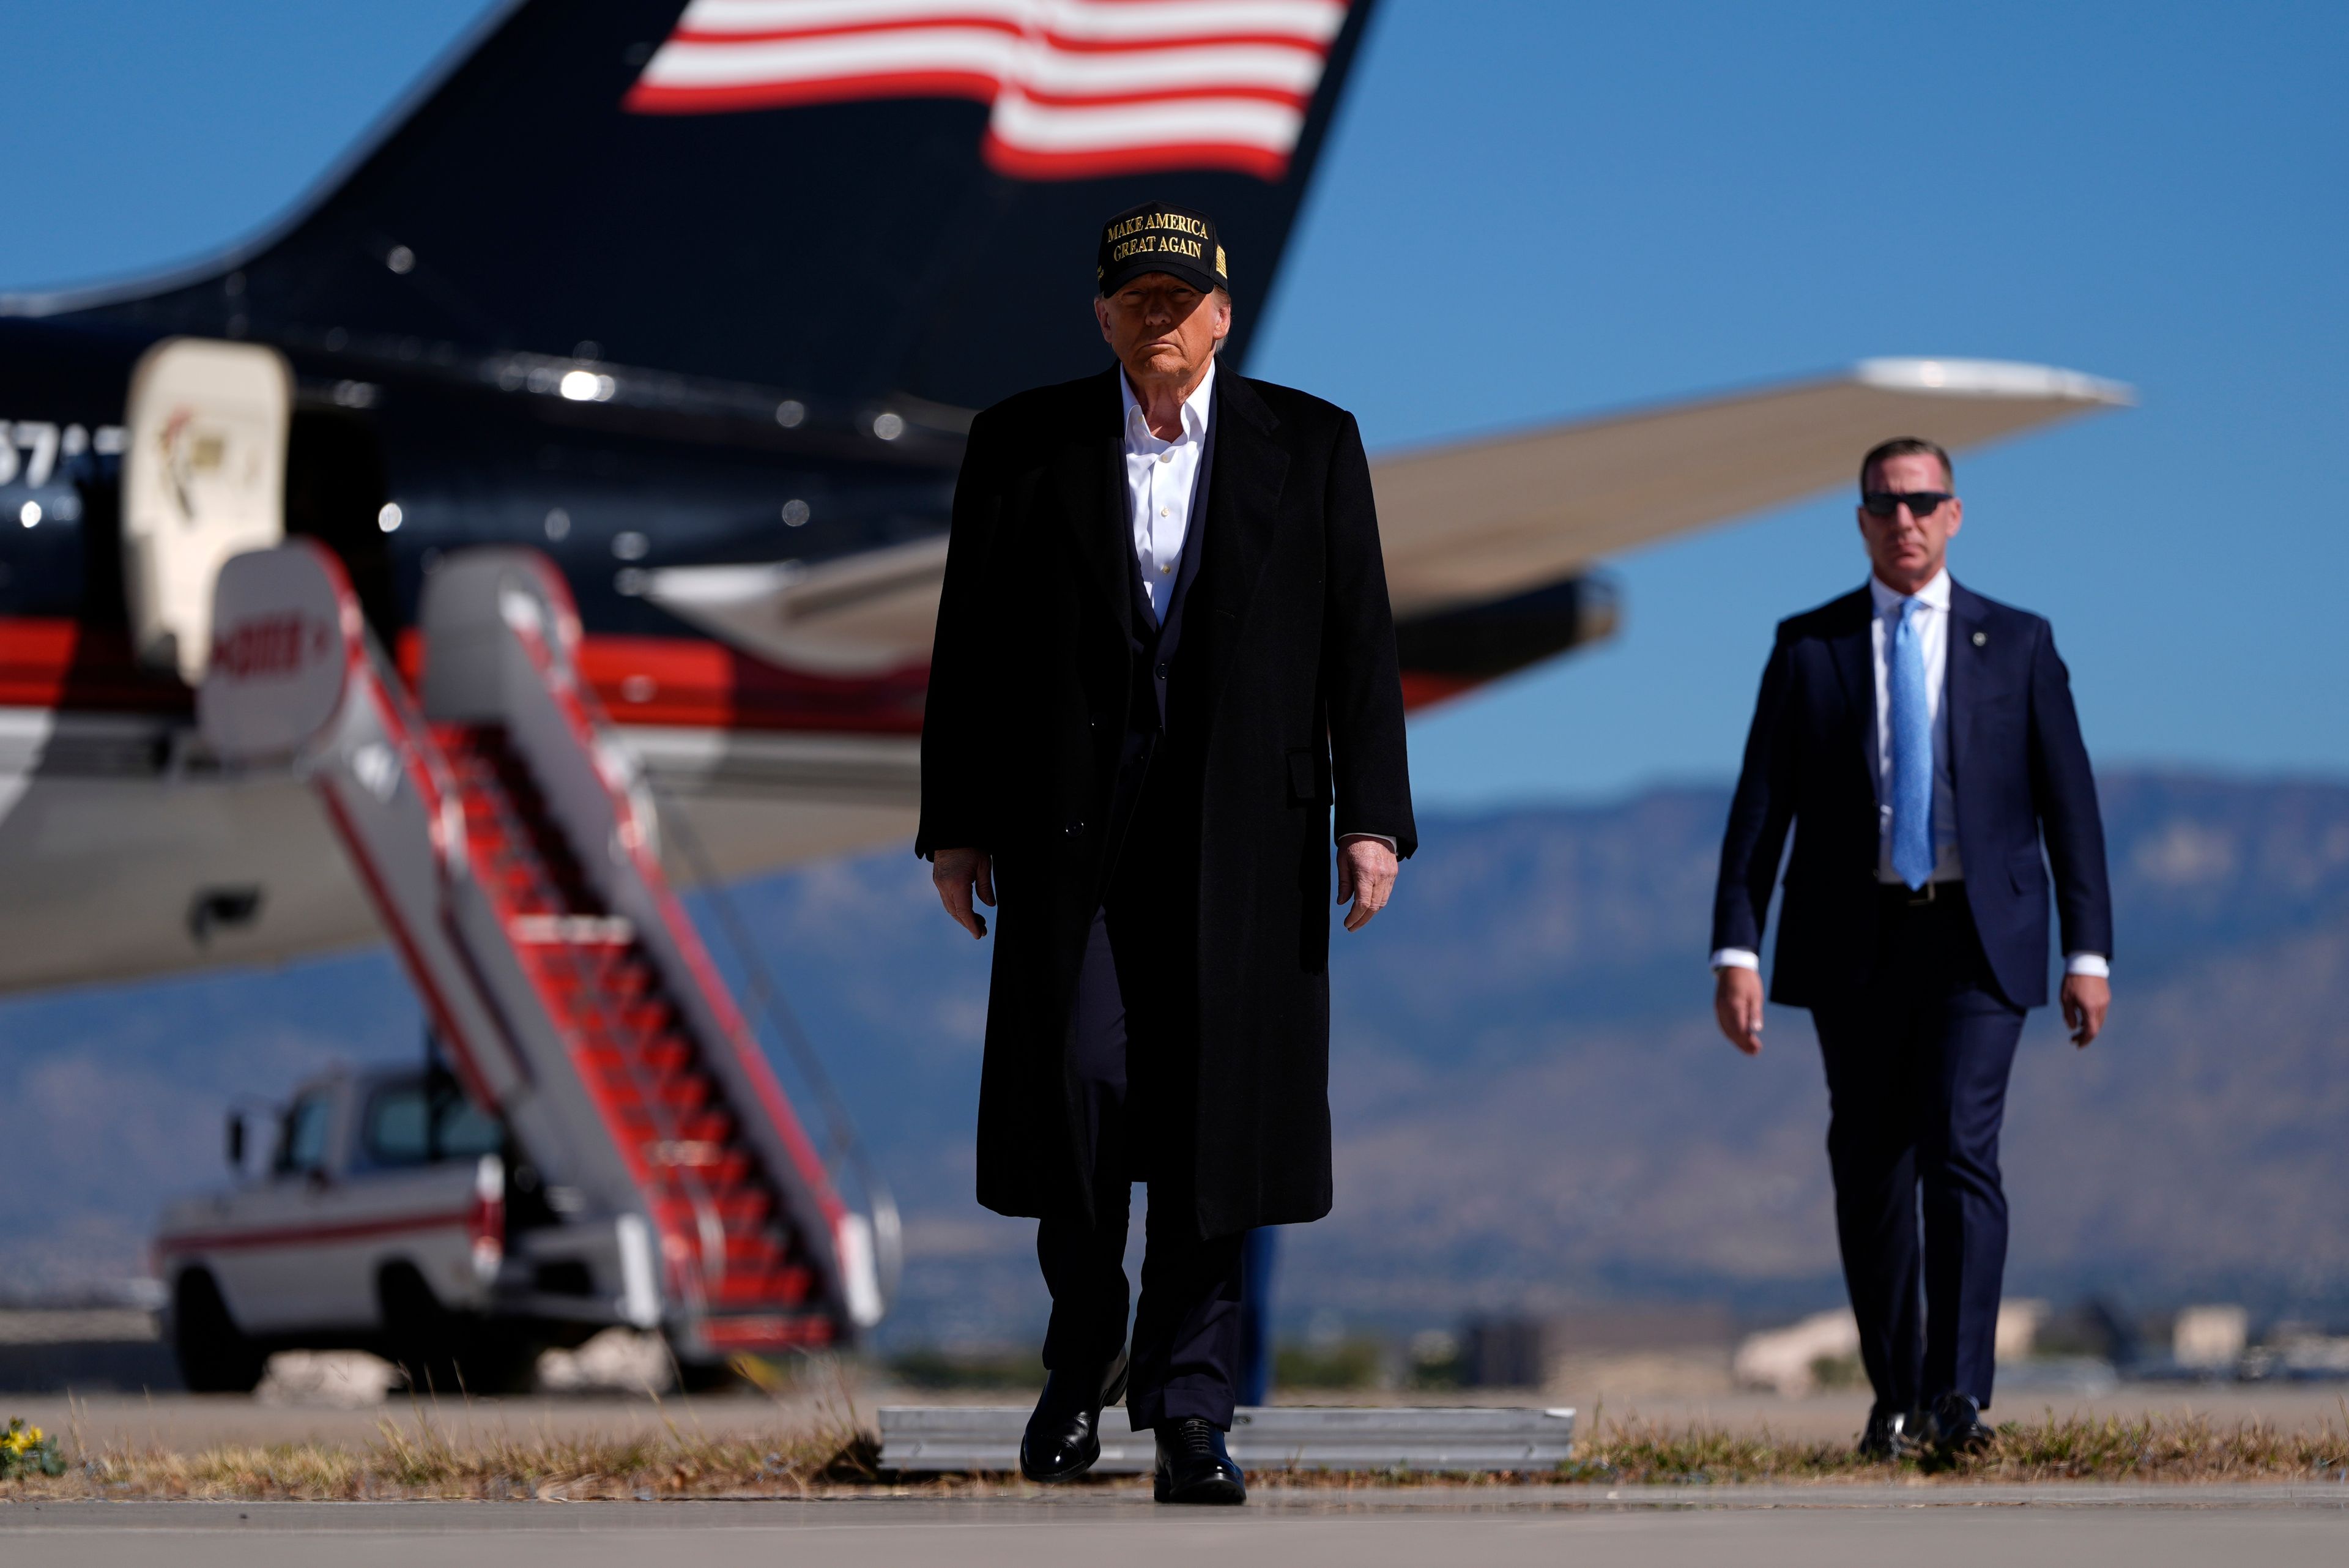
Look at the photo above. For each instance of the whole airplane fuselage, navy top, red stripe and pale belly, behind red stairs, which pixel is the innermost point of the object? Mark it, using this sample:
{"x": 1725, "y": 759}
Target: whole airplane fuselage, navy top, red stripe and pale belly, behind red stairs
{"x": 126, "y": 855}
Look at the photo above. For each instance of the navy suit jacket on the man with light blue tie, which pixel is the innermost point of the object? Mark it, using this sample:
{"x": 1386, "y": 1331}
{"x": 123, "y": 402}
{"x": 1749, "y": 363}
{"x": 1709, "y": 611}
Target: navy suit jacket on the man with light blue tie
{"x": 2019, "y": 772}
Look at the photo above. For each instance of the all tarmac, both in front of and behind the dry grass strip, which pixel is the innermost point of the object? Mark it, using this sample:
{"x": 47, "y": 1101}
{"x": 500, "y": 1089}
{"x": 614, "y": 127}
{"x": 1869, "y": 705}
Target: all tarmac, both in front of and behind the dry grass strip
{"x": 1655, "y": 1527}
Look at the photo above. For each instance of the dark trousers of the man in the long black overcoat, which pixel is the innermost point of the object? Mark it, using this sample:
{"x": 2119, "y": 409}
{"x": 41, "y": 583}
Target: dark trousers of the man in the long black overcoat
{"x": 1136, "y": 1076}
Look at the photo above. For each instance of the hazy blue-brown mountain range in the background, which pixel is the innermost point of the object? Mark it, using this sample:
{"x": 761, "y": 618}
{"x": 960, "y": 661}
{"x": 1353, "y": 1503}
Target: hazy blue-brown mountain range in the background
{"x": 1533, "y": 1106}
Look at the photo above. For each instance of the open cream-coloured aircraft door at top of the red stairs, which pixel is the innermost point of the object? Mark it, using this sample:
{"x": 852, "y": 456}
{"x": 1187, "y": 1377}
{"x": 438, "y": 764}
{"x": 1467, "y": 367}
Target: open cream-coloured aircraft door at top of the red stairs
{"x": 203, "y": 478}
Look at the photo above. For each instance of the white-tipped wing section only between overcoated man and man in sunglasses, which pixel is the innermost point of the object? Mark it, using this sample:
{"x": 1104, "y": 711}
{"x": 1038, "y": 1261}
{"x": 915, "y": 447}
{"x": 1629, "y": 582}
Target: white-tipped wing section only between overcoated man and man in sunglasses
{"x": 1481, "y": 521}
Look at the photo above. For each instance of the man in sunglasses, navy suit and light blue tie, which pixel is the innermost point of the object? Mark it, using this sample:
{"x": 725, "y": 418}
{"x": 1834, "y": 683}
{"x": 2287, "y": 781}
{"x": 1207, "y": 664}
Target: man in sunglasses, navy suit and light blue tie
{"x": 1923, "y": 746}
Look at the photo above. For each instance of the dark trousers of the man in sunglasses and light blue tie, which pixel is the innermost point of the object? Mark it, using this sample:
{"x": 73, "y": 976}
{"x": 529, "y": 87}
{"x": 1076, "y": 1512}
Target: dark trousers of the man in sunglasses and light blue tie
{"x": 1918, "y": 1071}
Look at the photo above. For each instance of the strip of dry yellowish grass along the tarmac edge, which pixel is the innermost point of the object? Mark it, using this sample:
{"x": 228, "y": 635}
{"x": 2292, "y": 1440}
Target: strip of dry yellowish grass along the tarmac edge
{"x": 422, "y": 1459}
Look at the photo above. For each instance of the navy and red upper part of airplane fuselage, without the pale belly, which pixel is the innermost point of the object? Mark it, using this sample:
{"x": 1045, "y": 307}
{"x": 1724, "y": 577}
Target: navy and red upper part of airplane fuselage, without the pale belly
{"x": 403, "y": 453}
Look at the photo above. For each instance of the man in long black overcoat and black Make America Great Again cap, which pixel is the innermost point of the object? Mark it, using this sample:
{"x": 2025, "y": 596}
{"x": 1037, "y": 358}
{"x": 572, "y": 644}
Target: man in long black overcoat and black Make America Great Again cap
{"x": 1164, "y": 659}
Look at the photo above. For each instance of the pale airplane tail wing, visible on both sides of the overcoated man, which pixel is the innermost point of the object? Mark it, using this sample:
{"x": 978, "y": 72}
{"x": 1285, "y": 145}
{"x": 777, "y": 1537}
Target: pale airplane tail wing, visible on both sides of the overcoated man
{"x": 1476, "y": 521}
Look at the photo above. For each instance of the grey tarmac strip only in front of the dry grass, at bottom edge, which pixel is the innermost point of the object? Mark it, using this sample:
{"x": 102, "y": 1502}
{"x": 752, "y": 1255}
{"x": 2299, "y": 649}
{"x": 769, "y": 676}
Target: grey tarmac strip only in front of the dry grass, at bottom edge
{"x": 2078, "y": 1527}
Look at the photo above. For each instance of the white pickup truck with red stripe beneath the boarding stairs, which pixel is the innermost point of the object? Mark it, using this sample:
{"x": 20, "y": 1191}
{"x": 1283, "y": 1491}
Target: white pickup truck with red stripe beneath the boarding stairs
{"x": 391, "y": 1214}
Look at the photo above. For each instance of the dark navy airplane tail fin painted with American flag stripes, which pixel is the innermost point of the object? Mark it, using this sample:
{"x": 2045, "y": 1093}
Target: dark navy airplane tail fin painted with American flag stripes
{"x": 847, "y": 196}
